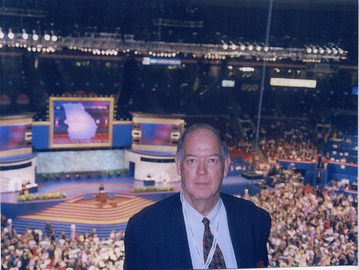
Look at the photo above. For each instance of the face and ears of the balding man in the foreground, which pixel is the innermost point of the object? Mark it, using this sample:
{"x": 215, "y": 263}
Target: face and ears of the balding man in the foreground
{"x": 202, "y": 168}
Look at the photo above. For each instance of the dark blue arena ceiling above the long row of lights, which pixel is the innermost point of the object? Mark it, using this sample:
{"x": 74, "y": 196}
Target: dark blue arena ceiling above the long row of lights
{"x": 294, "y": 23}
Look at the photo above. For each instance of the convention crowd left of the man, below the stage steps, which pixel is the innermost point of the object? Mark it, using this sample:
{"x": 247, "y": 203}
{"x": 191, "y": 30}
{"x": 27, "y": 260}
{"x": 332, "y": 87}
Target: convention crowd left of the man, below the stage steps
{"x": 35, "y": 249}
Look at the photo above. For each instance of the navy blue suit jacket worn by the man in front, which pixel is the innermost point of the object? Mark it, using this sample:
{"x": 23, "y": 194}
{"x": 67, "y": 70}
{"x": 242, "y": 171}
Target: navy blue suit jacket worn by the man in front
{"x": 155, "y": 238}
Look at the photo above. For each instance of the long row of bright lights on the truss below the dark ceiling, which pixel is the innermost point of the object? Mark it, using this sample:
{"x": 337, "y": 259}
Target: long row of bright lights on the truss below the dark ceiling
{"x": 113, "y": 44}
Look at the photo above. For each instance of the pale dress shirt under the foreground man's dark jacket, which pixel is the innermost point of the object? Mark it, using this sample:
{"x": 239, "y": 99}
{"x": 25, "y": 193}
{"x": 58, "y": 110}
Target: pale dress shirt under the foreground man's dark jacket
{"x": 195, "y": 231}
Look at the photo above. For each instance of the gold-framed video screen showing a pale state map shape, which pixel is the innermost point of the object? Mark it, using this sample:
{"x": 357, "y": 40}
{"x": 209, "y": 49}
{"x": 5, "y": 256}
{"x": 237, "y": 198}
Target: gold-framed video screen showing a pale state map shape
{"x": 81, "y": 122}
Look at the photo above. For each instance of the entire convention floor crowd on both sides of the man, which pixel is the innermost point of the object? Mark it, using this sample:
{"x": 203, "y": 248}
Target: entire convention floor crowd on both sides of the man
{"x": 310, "y": 227}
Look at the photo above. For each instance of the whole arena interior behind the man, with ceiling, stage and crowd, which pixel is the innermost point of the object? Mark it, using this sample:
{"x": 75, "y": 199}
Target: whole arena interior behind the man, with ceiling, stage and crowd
{"x": 95, "y": 95}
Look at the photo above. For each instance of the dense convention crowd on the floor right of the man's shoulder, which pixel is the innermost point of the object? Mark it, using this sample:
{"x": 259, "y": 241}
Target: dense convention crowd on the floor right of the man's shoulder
{"x": 310, "y": 226}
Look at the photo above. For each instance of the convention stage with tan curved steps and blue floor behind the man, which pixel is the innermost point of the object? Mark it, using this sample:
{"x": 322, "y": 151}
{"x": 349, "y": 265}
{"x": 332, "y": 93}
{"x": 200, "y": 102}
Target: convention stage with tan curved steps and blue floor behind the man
{"x": 81, "y": 208}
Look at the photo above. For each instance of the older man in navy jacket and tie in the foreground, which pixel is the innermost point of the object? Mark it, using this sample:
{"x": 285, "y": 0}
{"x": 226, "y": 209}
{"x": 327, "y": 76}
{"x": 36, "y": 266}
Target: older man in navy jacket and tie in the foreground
{"x": 199, "y": 227}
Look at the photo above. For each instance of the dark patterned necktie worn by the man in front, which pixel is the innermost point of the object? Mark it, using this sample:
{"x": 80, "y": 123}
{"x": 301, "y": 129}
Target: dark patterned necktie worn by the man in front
{"x": 217, "y": 261}
